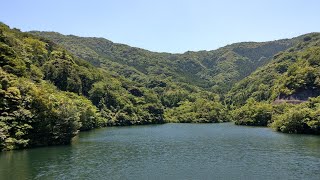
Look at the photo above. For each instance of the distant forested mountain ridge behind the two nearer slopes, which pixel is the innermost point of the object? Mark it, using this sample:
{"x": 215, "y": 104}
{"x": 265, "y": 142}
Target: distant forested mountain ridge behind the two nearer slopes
{"x": 217, "y": 70}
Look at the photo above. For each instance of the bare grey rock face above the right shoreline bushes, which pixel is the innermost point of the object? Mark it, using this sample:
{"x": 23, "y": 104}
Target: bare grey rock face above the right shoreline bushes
{"x": 297, "y": 97}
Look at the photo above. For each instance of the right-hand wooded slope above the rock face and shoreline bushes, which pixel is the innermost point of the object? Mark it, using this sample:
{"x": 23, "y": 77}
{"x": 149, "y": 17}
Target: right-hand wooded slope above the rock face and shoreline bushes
{"x": 288, "y": 73}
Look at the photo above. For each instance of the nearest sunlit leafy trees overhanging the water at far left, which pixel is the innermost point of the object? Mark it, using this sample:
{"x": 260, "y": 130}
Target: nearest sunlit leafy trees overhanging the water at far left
{"x": 35, "y": 114}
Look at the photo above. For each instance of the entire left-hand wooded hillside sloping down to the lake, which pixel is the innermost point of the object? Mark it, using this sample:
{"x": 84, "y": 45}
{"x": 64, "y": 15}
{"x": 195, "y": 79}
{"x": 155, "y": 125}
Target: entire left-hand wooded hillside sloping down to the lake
{"x": 47, "y": 95}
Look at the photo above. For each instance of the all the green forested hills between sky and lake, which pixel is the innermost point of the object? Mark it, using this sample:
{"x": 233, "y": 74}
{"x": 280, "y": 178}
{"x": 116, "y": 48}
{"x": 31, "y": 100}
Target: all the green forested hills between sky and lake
{"x": 53, "y": 85}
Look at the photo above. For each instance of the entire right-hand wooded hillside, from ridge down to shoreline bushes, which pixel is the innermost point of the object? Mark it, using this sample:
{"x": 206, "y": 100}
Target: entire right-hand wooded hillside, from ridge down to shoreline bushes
{"x": 292, "y": 77}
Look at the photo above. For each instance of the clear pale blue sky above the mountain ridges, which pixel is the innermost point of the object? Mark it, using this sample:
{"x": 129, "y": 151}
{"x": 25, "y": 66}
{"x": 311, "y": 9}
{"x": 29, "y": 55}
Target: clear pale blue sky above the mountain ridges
{"x": 167, "y": 25}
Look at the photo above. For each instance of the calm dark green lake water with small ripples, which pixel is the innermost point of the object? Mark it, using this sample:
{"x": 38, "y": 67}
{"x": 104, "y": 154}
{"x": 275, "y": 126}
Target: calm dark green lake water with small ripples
{"x": 171, "y": 151}
